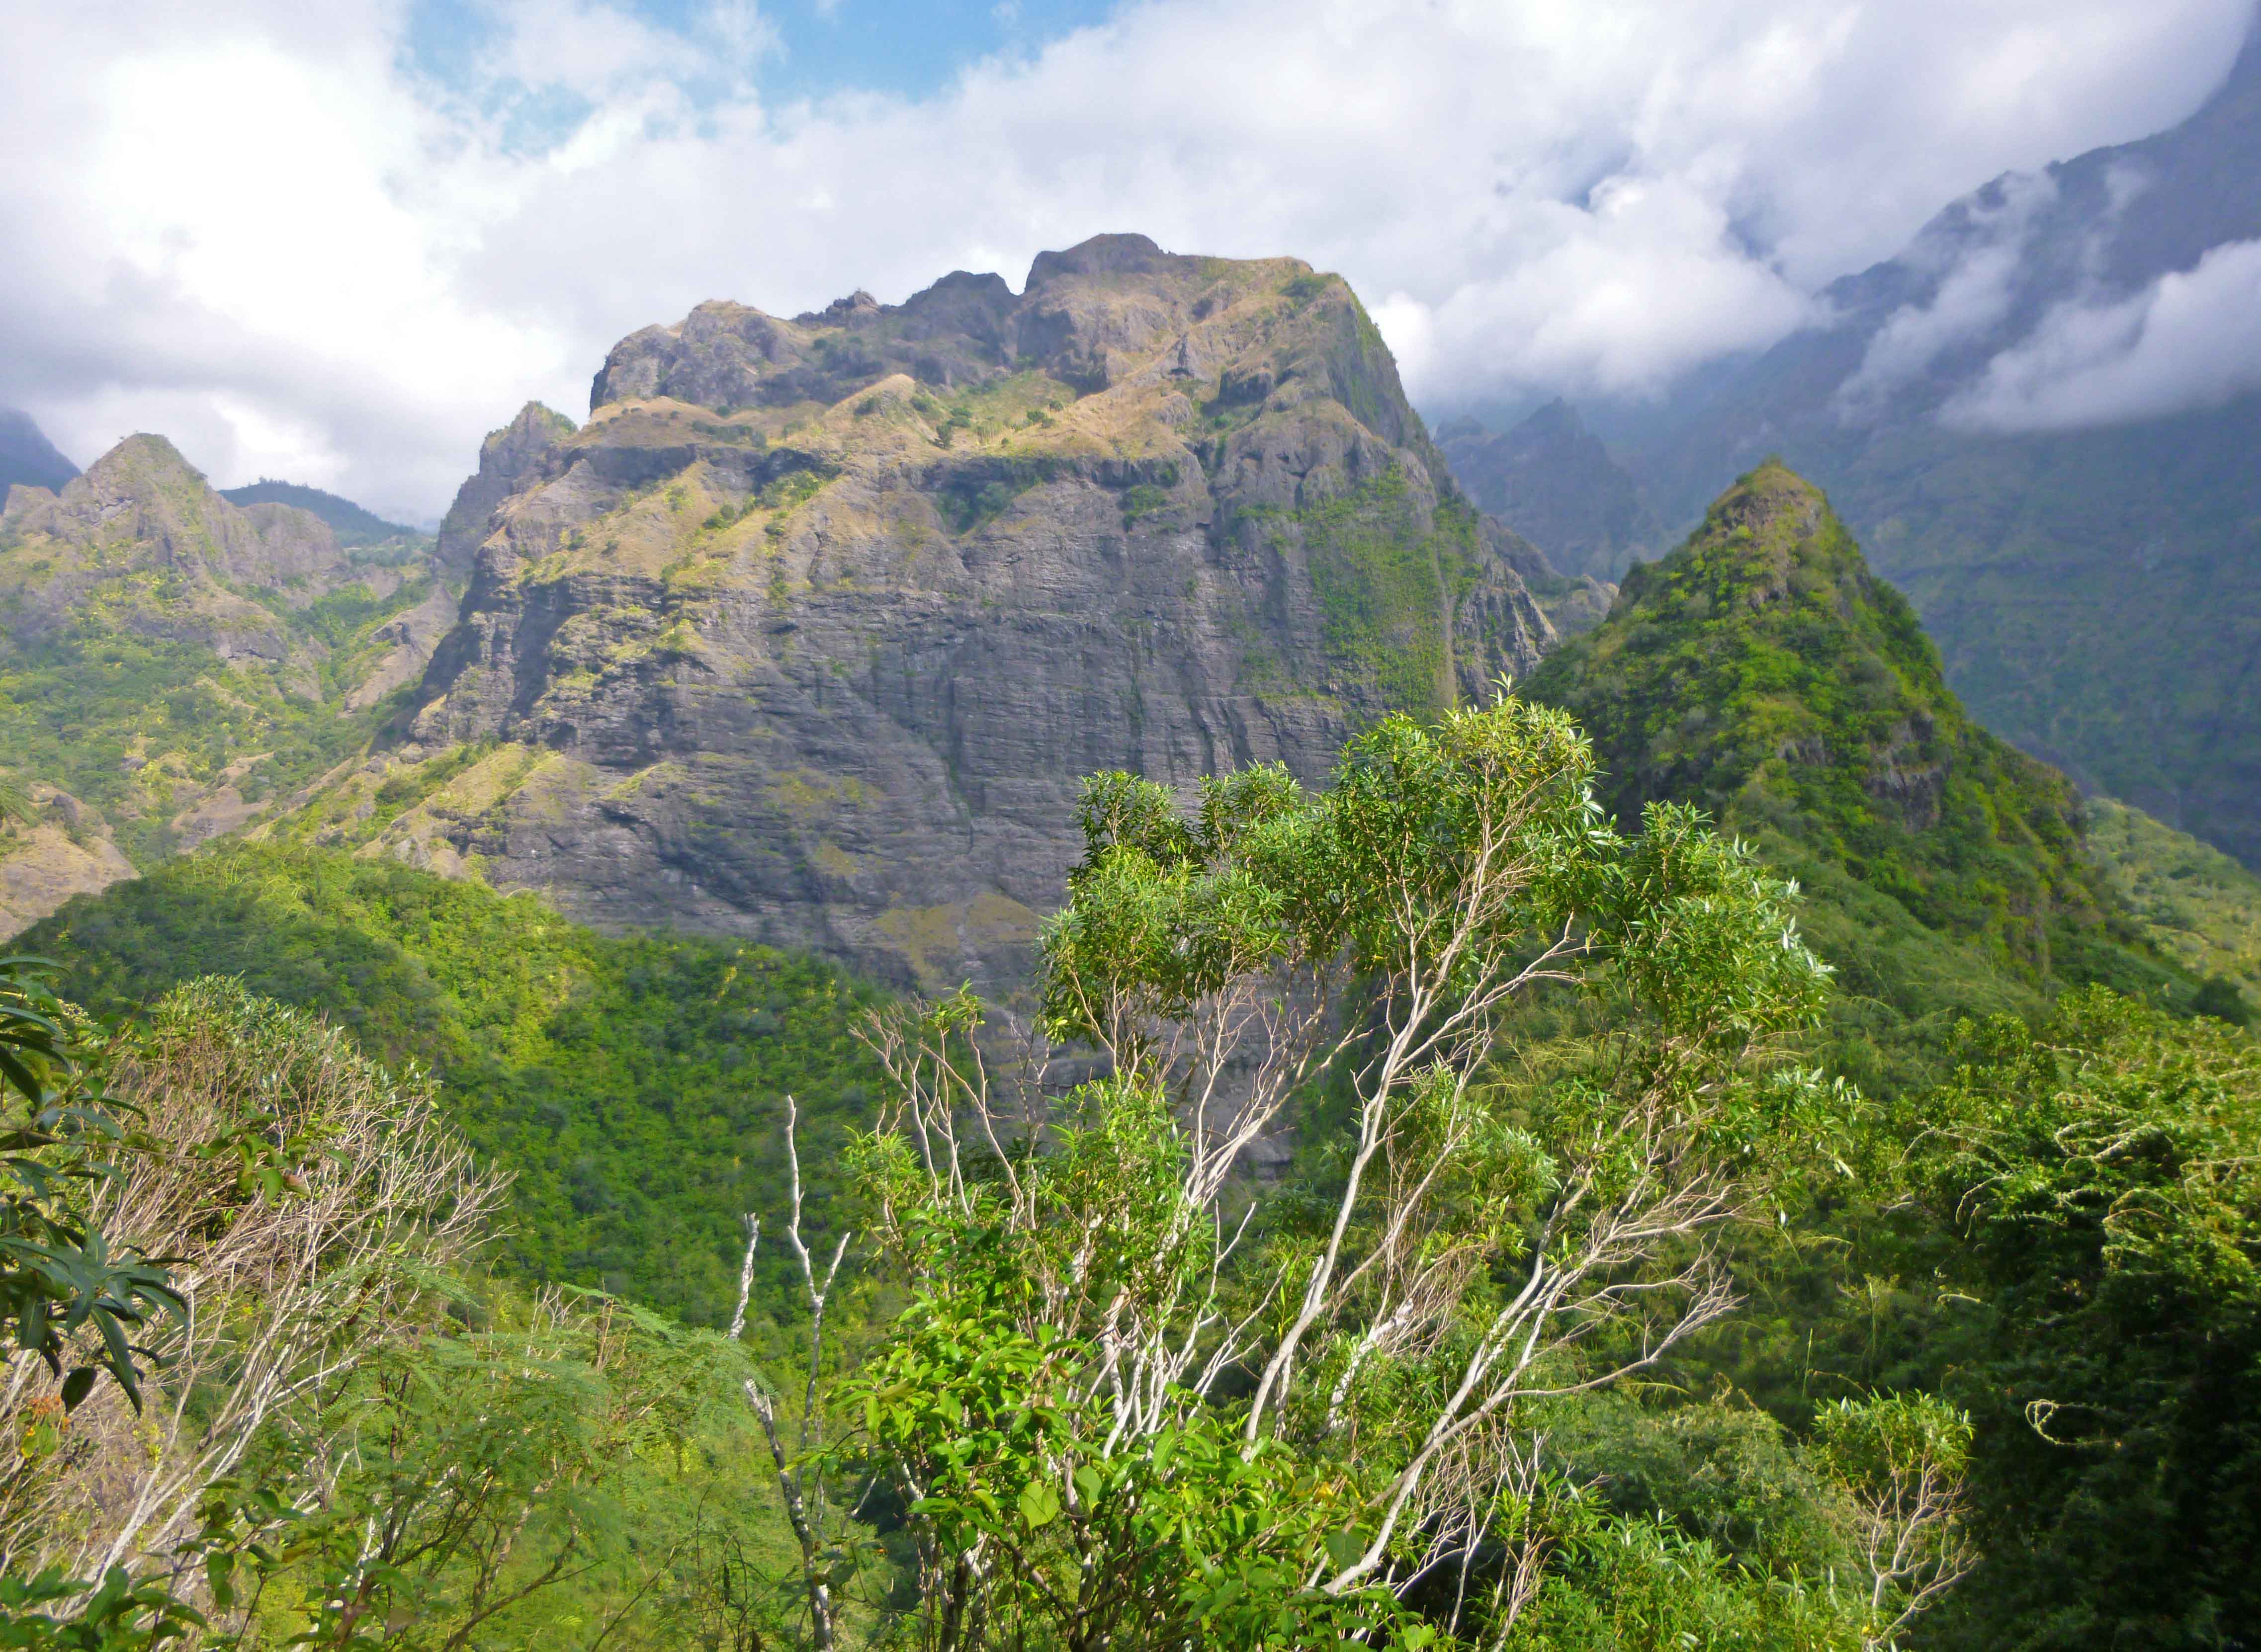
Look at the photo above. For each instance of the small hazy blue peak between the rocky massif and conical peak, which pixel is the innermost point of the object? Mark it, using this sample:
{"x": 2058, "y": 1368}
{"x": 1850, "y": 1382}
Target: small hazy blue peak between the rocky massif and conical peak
{"x": 1554, "y": 482}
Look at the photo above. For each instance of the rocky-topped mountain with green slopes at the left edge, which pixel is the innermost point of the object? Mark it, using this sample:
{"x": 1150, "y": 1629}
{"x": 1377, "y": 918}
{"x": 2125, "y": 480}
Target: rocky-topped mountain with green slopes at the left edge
{"x": 177, "y": 663}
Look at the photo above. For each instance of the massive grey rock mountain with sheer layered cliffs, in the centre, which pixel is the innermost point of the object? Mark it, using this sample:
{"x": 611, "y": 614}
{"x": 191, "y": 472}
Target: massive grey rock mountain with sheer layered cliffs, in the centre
{"x": 815, "y": 627}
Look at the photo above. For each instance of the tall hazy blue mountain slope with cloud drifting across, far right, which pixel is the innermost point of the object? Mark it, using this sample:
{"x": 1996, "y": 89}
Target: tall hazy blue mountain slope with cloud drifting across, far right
{"x": 2095, "y": 589}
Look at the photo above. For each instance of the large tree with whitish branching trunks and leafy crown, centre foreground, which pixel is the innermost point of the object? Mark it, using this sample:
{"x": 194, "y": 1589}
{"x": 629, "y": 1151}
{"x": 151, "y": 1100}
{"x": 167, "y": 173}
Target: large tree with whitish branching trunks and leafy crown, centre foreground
{"x": 1102, "y": 1303}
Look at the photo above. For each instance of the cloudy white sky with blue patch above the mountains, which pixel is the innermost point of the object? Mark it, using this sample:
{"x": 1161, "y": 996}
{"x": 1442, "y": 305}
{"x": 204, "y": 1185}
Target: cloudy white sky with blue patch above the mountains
{"x": 338, "y": 243}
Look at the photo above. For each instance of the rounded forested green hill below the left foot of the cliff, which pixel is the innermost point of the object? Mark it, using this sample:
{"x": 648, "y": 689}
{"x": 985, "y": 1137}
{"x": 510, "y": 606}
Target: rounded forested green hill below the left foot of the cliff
{"x": 634, "y": 1086}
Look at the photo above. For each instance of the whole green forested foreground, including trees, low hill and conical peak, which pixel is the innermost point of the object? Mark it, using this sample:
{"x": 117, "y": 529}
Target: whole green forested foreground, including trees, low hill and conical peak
{"x": 1738, "y": 1170}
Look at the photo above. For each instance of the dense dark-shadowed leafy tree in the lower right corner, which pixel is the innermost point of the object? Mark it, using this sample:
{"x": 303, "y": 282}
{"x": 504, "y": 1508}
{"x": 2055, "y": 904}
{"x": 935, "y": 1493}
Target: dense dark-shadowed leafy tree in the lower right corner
{"x": 2093, "y": 1199}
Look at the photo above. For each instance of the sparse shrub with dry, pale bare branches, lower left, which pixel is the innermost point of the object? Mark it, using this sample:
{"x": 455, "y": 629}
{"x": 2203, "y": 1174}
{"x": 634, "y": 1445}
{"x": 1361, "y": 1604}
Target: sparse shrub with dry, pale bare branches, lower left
{"x": 309, "y": 1208}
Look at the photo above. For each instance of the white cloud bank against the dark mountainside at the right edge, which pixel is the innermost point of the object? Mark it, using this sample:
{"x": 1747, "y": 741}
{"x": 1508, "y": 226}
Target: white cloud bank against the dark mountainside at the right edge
{"x": 2190, "y": 340}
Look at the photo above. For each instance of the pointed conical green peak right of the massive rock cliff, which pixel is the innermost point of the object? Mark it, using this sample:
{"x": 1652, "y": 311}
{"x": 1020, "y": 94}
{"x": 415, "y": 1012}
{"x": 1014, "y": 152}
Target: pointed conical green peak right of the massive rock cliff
{"x": 1769, "y": 677}
